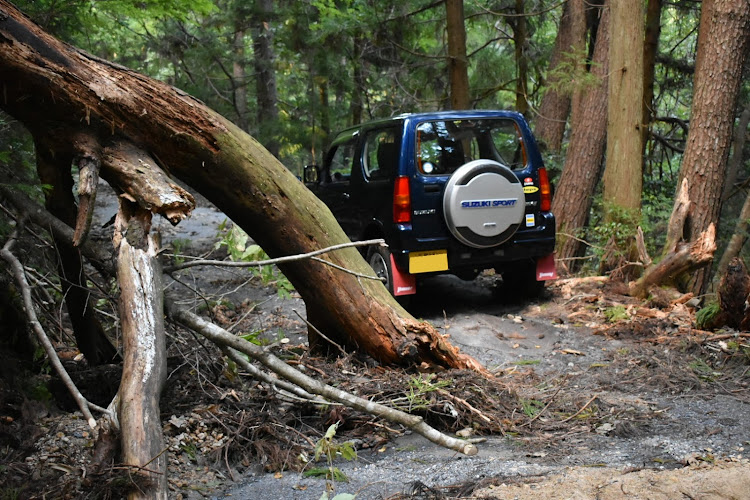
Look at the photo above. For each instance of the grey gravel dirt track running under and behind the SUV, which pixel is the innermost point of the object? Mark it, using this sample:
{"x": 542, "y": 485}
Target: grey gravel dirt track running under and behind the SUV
{"x": 625, "y": 397}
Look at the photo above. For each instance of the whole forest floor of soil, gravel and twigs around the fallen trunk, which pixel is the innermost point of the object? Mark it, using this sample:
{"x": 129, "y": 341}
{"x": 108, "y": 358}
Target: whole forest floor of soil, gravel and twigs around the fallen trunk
{"x": 596, "y": 395}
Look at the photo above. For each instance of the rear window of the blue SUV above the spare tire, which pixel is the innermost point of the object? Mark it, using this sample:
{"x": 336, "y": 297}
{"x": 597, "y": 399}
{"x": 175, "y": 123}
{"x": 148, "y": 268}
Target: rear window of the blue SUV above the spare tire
{"x": 444, "y": 145}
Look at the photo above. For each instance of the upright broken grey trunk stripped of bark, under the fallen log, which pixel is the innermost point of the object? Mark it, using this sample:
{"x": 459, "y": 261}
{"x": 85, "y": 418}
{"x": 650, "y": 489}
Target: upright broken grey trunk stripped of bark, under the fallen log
{"x": 144, "y": 370}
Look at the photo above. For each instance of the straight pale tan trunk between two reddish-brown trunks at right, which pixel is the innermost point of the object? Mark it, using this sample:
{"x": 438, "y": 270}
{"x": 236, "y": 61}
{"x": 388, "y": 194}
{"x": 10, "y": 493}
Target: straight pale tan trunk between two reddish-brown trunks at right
{"x": 623, "y": 174}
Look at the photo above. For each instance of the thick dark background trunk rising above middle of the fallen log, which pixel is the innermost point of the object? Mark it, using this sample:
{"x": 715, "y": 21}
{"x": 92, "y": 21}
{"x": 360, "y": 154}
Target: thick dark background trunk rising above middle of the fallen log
{"x": 265, "y": 76}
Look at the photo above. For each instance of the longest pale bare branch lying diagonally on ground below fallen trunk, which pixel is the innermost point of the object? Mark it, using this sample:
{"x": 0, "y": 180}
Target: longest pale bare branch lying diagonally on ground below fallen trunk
{"x": 224, "y": 338}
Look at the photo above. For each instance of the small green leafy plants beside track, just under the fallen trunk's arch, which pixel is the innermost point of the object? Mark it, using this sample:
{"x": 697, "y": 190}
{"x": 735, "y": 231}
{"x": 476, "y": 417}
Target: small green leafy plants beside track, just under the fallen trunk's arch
{"x": 236, "y": 241}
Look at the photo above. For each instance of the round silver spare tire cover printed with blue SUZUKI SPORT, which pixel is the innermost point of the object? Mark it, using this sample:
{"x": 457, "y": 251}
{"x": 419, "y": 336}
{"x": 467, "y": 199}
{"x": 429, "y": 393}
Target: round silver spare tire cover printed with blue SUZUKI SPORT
{"x": 483, "y": 204}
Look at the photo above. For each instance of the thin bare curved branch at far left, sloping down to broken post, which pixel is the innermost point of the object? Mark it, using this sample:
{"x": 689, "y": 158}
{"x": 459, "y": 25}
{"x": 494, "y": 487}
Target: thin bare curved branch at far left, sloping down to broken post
{"x": 49, "y": 349}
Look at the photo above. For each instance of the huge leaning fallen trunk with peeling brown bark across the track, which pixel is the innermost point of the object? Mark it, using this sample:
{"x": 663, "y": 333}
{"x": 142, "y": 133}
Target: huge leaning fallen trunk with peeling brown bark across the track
{"x": 48, "y": 84}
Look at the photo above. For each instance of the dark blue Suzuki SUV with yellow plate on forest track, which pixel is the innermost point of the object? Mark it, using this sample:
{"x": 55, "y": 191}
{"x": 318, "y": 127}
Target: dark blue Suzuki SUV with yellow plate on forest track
{"x": 450, "y": 192}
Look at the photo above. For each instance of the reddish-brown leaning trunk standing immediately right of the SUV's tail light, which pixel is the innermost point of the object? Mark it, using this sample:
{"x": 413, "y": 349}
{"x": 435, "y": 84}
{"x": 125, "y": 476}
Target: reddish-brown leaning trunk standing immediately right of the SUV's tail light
{"x": 575, "y": 191}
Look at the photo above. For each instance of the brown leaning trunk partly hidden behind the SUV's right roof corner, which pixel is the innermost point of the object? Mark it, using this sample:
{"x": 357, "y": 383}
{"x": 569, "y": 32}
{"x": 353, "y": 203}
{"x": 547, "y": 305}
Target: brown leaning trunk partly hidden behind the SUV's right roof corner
{"x": 555, "y": 106}
